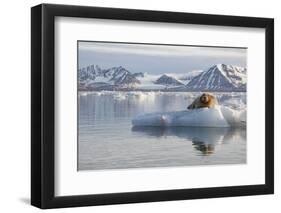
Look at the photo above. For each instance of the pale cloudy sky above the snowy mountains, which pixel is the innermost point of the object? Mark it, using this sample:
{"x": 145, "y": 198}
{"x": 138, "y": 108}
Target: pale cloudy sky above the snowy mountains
{"x": 157, "y": 59}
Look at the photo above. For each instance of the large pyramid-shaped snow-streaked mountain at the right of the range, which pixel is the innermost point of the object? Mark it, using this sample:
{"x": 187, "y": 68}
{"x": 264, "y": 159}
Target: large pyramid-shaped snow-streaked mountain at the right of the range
{"x": 220, "y": 77}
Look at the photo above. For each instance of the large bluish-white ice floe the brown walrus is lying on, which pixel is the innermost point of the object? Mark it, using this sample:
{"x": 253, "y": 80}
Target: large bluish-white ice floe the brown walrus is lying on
{"x": 203, "y": 117}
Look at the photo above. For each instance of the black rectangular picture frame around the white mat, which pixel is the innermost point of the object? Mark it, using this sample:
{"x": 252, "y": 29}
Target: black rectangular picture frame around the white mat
{"x": 43, "y": 105}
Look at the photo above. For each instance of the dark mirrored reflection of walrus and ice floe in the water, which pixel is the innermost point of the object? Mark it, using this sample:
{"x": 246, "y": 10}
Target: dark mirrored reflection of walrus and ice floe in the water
{"x": 204, "y": 139}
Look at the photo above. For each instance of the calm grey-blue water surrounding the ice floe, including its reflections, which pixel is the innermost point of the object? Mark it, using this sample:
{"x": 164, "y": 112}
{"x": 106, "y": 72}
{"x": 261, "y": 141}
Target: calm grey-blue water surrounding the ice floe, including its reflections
{"x": 107, "y": 139}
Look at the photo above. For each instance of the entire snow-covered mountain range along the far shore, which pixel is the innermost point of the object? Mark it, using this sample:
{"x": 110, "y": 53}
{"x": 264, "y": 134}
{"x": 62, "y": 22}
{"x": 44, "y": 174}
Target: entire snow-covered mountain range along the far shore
{"x": 220, "y": 77}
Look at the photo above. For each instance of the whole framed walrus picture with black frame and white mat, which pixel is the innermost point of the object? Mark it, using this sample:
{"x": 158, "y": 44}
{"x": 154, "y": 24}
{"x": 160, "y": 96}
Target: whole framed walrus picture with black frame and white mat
{"x": 136, "y": 106}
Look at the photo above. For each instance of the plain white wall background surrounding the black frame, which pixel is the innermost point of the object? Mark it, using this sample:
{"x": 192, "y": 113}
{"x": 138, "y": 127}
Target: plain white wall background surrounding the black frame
{"x": 15, "y": 105}
